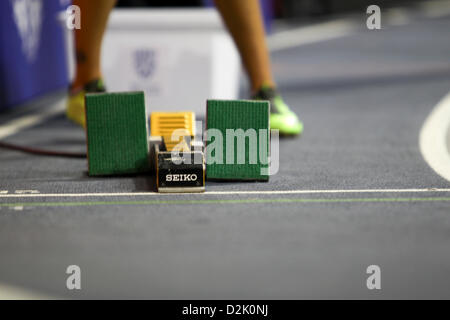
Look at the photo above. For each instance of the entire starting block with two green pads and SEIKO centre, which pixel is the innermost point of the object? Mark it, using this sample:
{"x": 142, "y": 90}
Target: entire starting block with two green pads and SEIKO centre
{"x": 238, "y": 136}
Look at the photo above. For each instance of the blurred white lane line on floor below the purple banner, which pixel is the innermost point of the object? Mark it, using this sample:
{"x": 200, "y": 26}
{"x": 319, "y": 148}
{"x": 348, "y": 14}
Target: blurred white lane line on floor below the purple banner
{"x": 24, "y": 122}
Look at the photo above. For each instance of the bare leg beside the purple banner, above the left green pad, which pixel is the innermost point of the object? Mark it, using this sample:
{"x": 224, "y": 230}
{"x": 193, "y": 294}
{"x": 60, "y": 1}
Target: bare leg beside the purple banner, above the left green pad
{"x": 88, "y": 40}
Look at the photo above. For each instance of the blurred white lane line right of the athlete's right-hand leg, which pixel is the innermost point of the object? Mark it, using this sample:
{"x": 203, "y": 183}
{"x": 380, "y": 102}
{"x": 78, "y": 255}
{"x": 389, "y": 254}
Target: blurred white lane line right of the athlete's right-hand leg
{"x": 310, "y": 34}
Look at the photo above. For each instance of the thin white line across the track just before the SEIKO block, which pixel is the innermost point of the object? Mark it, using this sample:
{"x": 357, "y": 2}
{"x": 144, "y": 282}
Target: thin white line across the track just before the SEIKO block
{"x": 270, "y": 192}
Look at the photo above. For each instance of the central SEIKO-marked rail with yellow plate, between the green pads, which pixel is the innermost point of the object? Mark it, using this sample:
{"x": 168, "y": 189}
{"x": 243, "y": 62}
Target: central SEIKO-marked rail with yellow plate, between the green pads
{"x": 176, "y": 157}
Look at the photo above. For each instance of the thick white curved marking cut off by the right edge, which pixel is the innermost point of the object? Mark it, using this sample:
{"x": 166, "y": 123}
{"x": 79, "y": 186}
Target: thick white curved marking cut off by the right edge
{"x": 433, "y": 138}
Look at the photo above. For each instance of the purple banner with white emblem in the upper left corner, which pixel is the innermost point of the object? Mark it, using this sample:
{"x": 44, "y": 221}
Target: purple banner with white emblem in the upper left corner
{"x": 32, "y": 51}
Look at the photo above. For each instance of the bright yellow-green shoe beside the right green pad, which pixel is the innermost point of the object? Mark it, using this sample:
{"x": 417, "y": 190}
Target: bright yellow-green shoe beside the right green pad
{"x": 281, "y": 117}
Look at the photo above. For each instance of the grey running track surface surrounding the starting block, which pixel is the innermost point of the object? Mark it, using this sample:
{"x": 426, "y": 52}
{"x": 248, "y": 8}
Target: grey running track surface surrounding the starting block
{"x": 363, "y": 99}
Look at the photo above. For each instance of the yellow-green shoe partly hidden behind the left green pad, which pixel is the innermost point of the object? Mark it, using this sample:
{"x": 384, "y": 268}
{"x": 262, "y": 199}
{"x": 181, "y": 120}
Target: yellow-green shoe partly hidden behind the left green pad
{"x": 75, "y": 109}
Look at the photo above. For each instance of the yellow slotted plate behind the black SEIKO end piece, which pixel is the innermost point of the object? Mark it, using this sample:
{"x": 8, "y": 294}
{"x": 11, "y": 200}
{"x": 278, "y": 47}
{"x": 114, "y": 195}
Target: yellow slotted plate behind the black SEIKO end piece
{"x": 165, "y": 124}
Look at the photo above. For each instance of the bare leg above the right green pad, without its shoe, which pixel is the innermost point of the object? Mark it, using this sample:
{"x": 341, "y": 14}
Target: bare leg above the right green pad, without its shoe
{"x": 243, "y": 19}
